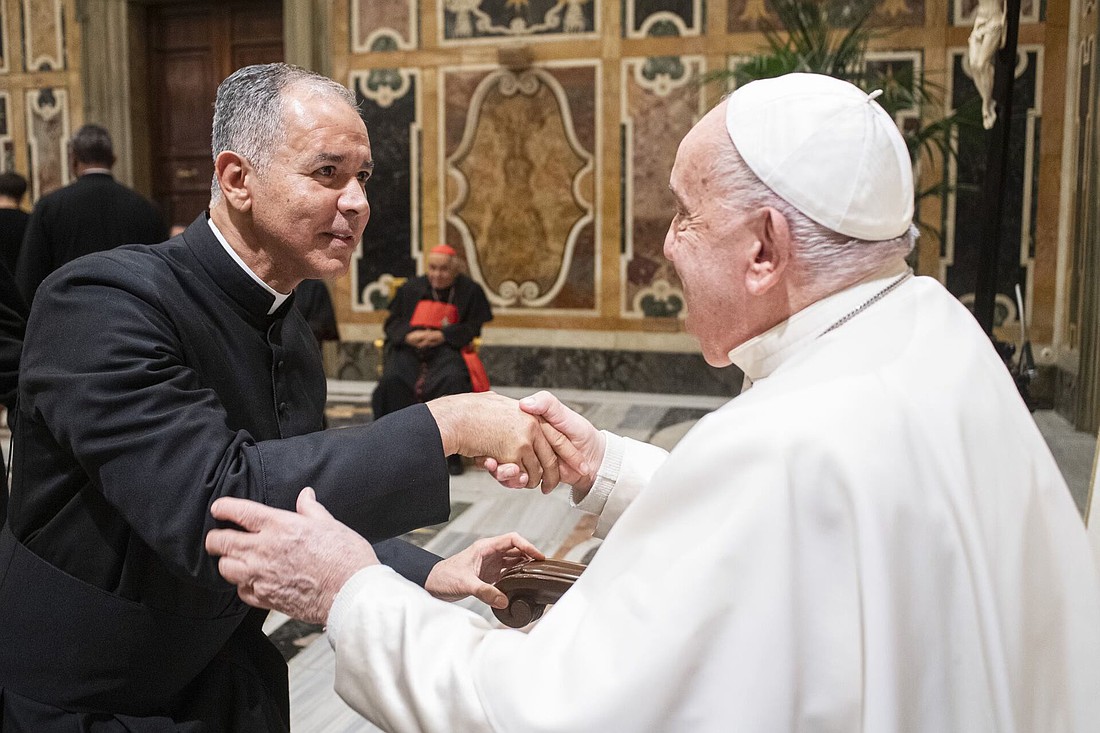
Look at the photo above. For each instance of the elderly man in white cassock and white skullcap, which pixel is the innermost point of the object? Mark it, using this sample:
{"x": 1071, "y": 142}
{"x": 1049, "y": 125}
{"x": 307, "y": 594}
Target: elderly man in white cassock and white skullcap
{"x": 872, "y": 538}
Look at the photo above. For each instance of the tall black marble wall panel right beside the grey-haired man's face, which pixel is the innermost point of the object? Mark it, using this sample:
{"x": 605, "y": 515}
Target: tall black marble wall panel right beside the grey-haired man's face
{"x": 388, "y": 234}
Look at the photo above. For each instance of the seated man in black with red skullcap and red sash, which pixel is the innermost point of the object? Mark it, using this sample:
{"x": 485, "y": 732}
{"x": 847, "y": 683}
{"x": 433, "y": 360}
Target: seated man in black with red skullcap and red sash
{"x": 433, "y": 321}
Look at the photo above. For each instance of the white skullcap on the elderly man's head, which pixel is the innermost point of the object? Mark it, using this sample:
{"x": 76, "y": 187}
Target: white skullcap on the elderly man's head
{"x": 827, "y": 148}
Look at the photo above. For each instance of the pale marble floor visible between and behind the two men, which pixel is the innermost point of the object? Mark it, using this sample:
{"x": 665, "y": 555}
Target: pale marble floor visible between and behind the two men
{"x": 482, "y": 509}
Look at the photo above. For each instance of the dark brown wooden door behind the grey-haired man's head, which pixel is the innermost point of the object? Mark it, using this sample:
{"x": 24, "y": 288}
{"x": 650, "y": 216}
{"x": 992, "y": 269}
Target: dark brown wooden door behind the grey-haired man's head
{"x": 193, "y": 48}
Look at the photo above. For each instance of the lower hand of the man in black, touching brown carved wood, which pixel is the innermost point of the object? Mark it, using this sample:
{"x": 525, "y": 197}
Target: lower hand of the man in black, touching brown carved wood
{"x": 474, "y": 571}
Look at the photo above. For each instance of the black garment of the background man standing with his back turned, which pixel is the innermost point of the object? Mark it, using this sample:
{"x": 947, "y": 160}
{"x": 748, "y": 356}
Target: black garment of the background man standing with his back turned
{"x": 93, "y": 214}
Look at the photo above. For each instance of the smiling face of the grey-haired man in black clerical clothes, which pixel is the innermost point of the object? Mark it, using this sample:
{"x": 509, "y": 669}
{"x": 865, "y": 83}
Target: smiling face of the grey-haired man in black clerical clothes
{"x": 310, "y": 204}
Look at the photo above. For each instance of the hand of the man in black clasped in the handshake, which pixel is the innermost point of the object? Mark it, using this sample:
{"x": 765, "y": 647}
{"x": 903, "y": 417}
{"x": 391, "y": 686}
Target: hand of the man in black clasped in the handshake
{"x": 492, "y": 425}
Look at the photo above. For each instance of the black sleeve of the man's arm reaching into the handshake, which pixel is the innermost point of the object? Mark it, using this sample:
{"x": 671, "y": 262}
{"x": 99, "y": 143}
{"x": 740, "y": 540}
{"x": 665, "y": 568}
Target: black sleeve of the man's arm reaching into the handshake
{"x": 125, "y": 402}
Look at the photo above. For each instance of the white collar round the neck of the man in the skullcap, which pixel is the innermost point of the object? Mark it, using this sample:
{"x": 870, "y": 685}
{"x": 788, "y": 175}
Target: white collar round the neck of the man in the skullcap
{"x": 762, "y": 355}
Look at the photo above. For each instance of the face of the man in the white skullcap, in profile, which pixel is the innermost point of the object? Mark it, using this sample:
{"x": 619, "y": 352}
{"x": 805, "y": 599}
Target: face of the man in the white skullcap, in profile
{"x": 709, "y": 244}
